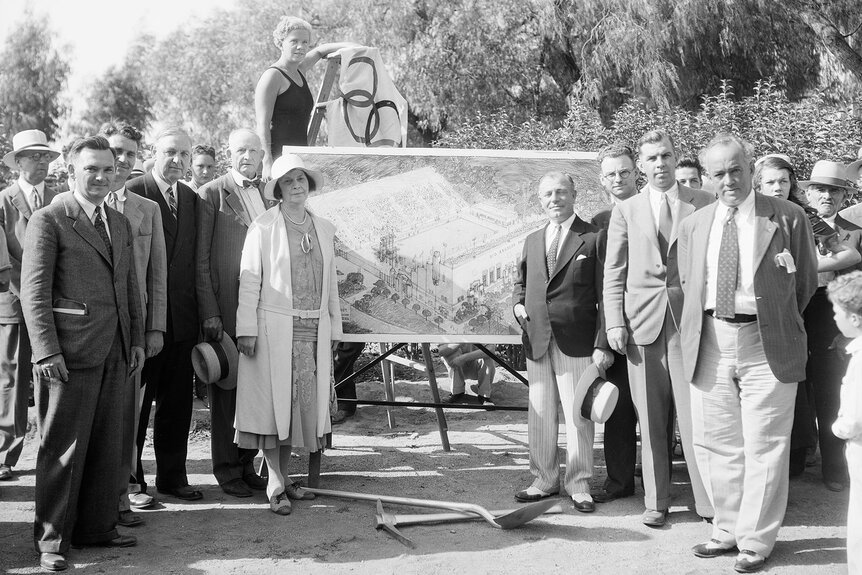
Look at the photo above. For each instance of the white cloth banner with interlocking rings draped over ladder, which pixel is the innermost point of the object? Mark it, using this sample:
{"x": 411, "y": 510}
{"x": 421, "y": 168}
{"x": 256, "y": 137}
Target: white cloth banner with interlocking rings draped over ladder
{"x": 370, "y": 112}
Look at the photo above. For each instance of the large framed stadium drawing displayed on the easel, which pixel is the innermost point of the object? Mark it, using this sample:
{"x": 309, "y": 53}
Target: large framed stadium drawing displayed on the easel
{"x": 428, "y": 239}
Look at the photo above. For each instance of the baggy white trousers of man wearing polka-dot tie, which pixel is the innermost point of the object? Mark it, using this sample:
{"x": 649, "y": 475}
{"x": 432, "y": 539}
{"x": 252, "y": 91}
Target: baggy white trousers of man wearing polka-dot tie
{"x": 742, "y": 418}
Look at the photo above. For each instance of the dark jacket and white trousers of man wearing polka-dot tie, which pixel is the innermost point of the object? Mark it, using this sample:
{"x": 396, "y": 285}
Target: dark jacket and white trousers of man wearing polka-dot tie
{"x": 744, "y": 374}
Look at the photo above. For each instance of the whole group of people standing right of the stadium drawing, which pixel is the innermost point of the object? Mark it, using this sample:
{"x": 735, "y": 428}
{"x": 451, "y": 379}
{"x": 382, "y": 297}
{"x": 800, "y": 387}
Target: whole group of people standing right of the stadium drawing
{"x": 712, "y": 307}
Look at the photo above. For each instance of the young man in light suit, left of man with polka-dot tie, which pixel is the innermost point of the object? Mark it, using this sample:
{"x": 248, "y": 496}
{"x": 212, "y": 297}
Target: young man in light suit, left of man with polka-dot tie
{"x": 643, "y": 303}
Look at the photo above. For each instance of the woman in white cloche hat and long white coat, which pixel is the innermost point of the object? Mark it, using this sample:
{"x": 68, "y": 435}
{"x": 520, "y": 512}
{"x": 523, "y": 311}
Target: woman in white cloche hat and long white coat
{"x": 288, "y": 322}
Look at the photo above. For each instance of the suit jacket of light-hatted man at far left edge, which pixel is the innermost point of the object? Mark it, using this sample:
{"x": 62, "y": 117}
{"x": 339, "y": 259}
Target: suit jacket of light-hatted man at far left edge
{"x": 15, "y": 214}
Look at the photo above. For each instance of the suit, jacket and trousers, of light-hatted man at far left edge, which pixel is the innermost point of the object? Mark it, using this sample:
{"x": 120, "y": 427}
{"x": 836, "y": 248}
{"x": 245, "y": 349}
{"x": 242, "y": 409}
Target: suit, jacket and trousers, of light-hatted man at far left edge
{"x": 15, "y": 366}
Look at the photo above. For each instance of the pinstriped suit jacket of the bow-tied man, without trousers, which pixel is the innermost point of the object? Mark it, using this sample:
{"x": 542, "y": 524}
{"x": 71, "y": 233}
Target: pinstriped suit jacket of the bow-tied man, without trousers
{"x": 222, "y": 225}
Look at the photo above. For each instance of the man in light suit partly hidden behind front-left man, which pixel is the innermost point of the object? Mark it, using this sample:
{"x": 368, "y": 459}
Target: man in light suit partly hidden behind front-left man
{"x": 148, "y": 243}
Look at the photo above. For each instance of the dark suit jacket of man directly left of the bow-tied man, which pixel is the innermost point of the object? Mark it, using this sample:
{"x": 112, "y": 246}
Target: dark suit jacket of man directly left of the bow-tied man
{"x": 180, "y": 233}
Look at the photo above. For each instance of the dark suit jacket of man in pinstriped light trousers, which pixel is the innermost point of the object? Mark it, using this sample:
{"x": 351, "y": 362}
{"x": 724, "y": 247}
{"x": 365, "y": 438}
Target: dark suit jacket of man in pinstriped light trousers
{"x": 569, "y": 303}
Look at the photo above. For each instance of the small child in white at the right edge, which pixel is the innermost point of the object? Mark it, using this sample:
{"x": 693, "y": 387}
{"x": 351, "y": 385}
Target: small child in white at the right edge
{"x": 845, "y": 293}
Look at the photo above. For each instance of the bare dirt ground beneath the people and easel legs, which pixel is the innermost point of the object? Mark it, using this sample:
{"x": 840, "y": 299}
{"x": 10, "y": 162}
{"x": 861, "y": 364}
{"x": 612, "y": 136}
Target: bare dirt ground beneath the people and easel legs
{"x": 487, "y": 465}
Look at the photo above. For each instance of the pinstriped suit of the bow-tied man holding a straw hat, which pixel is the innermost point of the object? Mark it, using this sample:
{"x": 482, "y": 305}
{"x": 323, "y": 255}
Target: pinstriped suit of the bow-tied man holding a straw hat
{"x": 223, "y": 222}
